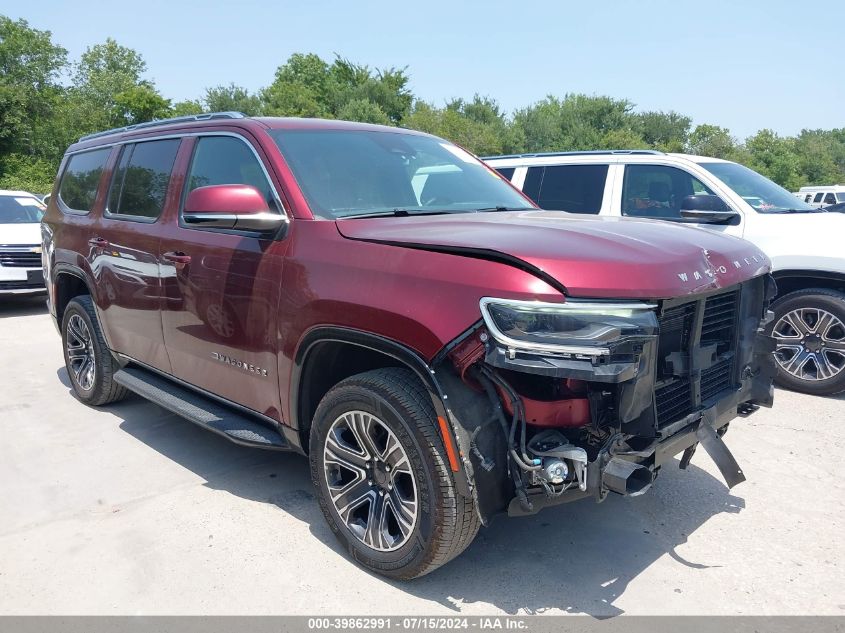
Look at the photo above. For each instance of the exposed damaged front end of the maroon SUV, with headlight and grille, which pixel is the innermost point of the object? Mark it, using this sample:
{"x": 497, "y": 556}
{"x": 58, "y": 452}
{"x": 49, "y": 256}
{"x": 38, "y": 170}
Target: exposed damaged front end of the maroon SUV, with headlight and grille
{"x": 584, "y": 398}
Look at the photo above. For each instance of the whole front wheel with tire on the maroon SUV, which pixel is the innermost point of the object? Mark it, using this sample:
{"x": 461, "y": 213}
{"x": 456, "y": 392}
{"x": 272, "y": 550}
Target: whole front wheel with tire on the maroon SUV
{"x": 383, "y": 477}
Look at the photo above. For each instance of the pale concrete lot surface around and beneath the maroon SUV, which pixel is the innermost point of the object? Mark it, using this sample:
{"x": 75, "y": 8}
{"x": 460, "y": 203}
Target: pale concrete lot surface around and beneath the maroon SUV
{"x": 131, "y": 510}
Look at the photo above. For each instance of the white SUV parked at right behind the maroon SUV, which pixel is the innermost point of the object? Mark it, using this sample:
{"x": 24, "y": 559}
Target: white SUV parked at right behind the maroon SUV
{"x": 804, "y": 243}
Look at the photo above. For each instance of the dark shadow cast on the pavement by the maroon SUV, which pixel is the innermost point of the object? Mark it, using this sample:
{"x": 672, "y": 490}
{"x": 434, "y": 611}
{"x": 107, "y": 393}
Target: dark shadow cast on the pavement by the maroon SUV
{"x": 577, "y": 558}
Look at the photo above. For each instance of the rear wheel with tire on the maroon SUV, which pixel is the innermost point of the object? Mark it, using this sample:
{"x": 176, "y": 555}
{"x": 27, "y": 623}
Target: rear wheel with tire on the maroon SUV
{"x": 89, "y": 362}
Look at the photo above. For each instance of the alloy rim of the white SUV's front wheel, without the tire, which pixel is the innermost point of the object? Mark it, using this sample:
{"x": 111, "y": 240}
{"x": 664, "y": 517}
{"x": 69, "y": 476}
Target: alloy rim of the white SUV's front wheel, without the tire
{"x": 810, "y": 344}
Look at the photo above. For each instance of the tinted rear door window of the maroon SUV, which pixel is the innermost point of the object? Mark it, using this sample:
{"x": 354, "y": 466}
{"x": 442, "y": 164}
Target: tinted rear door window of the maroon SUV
{"x": 140, "y": 181}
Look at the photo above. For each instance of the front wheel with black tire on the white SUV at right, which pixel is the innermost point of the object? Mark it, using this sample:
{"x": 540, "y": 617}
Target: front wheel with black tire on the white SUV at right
{"x": 809, "y": 327}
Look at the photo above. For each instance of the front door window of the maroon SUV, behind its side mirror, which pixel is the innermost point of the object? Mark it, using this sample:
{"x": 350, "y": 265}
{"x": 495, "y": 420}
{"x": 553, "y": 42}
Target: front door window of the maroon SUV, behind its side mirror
{"x": 225, "y": 160}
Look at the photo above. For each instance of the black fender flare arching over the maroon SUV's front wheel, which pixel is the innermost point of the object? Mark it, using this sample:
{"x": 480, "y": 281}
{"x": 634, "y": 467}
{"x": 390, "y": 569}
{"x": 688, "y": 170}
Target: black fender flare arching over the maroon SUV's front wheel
{"x": 409, "y": 359}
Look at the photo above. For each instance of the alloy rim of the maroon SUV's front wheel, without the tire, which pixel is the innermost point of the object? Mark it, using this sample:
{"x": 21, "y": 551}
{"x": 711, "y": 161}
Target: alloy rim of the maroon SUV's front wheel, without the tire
{"x": 370, "y": 481}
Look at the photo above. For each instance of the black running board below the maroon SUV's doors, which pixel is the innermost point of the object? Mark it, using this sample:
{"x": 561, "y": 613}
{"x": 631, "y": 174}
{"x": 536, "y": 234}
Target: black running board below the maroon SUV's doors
{"x": 238, "y": 427}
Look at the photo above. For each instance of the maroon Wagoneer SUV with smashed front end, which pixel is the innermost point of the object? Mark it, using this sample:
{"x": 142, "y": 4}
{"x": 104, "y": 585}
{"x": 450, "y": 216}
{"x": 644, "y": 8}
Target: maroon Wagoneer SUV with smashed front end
{"x": 381, "y": 300}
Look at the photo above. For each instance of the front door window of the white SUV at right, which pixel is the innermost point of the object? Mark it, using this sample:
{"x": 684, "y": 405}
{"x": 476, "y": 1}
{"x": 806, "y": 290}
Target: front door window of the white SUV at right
{"x": 657, "y": 191}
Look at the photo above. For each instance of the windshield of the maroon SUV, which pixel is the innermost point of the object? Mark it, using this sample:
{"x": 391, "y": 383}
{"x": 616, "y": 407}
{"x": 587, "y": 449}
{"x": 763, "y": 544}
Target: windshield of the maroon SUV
{"x": 353, "y": 173}
